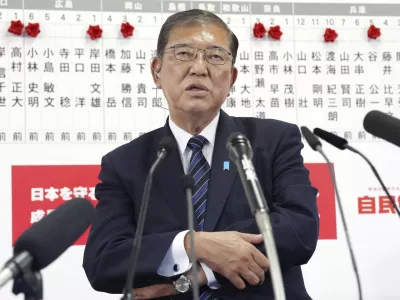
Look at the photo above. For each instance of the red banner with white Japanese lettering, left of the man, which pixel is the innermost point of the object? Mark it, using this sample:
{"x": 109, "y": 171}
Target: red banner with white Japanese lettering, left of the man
{"x": 37, "y": 190}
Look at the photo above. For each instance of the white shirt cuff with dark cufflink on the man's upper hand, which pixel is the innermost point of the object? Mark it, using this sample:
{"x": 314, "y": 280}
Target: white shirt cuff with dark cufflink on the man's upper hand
{"x": 175, "y": 261}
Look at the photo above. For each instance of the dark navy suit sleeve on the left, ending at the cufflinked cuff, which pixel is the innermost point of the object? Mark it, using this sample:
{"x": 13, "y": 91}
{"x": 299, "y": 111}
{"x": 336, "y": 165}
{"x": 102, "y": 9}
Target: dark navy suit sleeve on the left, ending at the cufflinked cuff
{"x": 110, "y": 242}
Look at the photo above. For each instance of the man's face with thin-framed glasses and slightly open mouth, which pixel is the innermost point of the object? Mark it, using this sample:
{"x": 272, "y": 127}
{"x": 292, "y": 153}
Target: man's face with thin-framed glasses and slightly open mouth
{"x": 195, "y": 86}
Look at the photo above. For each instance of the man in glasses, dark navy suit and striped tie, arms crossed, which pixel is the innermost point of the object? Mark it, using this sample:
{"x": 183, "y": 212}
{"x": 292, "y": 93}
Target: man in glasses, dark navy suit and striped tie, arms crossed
{"x": 194, "y": 67}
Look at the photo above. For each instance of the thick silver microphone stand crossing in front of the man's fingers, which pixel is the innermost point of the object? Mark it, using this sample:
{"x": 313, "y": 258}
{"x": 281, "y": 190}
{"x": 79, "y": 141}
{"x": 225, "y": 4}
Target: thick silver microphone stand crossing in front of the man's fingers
{"x": 247, "y": 173}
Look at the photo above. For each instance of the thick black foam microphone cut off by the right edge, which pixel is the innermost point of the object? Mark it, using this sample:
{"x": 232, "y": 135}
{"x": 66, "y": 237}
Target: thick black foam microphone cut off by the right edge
{"x": 383, "y": 126}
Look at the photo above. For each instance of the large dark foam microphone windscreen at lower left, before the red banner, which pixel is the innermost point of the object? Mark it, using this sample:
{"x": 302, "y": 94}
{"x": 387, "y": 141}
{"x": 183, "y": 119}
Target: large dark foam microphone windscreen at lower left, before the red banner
{"x": 47, "y": 239}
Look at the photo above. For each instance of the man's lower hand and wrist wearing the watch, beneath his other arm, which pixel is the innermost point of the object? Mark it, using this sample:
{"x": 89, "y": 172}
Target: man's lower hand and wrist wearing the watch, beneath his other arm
{"x": 167, "y": 289}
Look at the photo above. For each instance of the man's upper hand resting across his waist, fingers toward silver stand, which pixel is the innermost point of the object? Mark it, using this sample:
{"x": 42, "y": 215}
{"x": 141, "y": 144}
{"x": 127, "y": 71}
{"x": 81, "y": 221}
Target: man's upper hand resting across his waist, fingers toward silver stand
{"x": 231, "y": 254}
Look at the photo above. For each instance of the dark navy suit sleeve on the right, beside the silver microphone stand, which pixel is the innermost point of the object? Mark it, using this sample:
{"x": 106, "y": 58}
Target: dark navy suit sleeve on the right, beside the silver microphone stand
{"x": 293, "y": 214}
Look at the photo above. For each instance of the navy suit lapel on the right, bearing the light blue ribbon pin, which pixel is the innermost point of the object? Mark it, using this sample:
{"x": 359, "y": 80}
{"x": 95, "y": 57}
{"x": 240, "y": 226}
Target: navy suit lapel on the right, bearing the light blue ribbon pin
{"x": 220, "y": 180}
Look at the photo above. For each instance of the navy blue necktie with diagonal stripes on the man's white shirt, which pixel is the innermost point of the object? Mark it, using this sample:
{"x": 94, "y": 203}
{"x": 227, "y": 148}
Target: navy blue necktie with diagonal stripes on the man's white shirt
{"x": 199, "y": 169}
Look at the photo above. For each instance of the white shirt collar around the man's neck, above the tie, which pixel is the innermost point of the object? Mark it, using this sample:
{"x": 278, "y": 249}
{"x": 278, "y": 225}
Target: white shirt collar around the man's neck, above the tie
{"x": 183, "y": 137}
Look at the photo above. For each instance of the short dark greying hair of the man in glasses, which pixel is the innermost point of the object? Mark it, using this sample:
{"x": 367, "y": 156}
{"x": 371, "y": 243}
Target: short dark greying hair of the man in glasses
{"x": 195, "y": 17}
